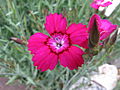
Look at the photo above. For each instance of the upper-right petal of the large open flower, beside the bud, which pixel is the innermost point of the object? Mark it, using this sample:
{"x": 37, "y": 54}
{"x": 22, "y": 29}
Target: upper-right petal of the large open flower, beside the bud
{"x": 78, "y": 34}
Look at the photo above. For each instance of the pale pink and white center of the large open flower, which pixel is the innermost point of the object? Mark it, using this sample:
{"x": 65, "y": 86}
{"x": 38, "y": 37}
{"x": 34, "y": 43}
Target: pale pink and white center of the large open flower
{"x": 58, "y": 42}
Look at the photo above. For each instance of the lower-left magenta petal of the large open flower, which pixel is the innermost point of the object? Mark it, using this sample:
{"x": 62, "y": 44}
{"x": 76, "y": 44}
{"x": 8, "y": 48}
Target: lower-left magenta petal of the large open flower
{"x": 44, "y": 59}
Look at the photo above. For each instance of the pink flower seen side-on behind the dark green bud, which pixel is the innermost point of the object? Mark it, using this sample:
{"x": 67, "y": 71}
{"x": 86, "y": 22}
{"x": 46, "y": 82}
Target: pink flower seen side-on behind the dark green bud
{"x": 104, "y": 26}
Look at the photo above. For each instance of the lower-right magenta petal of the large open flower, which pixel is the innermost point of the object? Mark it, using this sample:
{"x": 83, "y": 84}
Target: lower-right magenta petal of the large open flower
{"x": 72, "y": 58}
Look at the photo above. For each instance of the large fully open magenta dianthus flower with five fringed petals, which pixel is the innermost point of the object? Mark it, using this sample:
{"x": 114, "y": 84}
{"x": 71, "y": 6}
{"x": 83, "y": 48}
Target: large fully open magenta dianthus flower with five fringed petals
{"x": 60, "y": 45}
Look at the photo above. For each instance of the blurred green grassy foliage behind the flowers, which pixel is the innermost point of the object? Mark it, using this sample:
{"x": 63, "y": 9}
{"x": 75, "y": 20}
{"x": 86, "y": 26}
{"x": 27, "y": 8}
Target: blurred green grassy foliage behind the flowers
{"x": 21, "y": 19}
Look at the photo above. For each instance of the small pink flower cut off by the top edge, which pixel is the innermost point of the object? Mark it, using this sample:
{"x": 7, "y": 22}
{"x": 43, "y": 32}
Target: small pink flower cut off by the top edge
{"x": 97, "y": 3}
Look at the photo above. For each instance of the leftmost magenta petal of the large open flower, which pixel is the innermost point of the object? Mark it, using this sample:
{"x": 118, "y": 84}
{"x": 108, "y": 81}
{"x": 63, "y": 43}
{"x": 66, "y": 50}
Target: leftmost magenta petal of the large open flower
{"x": 36, "y": 41}
